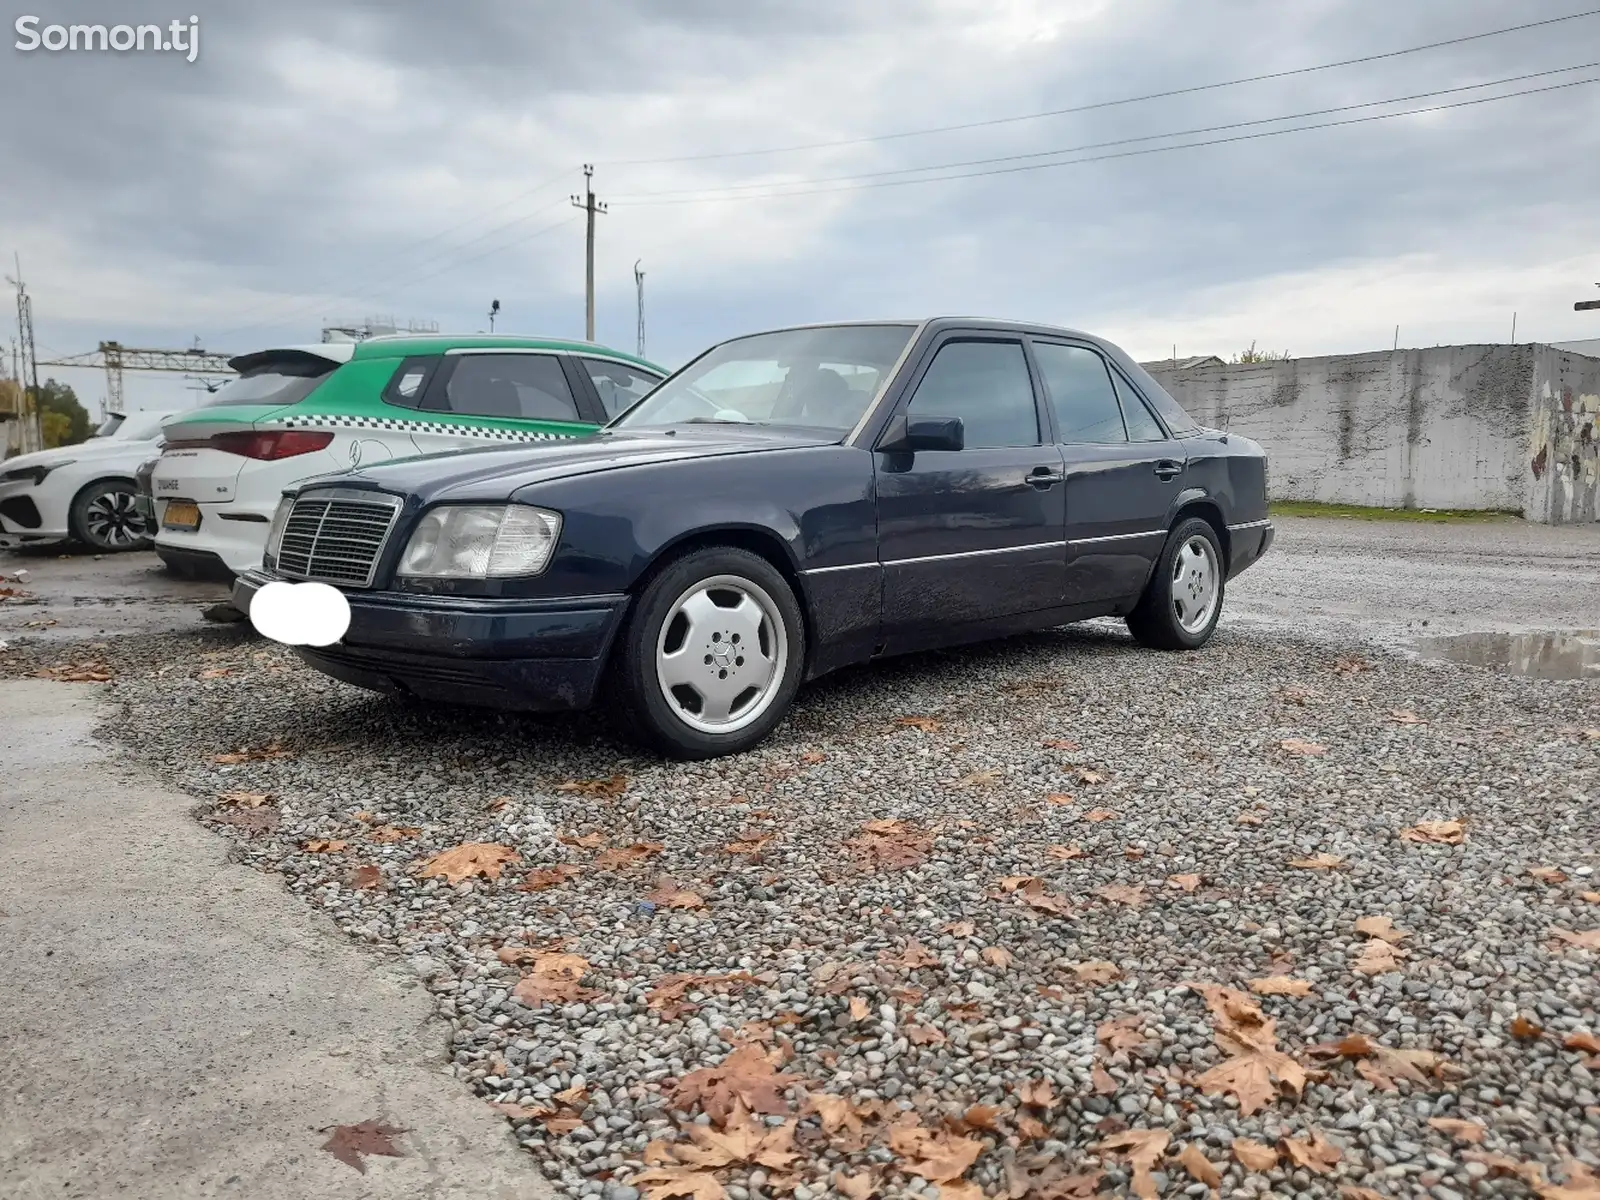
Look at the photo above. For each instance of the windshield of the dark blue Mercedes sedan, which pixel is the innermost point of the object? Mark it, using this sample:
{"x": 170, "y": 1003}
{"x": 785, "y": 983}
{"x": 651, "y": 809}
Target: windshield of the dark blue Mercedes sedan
{"x": 822, "y": 378}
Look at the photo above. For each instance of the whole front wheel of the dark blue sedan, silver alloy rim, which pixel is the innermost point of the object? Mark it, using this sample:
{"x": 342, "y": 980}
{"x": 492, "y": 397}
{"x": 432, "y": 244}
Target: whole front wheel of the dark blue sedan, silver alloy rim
{"x": 713, "y": 654}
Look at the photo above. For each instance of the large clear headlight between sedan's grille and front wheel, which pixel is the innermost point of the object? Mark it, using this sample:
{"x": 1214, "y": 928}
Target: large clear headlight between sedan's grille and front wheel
{"x": 473, "y": 542}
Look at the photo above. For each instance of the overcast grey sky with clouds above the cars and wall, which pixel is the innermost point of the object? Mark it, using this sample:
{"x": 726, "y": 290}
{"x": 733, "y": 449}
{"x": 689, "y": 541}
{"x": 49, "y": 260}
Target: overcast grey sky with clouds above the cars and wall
{"x": 324, "y": 162}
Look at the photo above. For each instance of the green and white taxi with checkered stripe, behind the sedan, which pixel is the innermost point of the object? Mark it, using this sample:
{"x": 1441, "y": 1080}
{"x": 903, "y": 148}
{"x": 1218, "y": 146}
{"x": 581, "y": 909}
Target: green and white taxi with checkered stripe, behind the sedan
{"x": 297, "y": 412}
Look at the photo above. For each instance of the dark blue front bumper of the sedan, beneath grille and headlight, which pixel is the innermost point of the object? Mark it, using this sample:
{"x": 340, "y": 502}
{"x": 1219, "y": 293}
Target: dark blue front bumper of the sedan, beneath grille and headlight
{"x": 526, "y": 655}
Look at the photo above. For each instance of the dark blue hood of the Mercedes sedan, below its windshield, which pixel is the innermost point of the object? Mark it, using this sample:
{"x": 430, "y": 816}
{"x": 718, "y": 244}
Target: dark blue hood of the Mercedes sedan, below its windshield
{"x": 495, "y": 473}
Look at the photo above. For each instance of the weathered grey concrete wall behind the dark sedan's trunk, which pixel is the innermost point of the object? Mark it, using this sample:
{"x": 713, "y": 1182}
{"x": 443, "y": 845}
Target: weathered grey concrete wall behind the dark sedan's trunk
{"x": 1446, "y": 428}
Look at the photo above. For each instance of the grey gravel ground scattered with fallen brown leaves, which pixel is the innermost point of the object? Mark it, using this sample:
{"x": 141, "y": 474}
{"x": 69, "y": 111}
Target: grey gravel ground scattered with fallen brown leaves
{"x": 999, "y": 978}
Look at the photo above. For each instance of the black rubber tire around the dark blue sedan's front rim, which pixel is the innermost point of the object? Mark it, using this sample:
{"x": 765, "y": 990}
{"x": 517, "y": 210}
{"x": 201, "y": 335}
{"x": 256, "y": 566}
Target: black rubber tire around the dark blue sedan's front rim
{"x": 650, "y": 713}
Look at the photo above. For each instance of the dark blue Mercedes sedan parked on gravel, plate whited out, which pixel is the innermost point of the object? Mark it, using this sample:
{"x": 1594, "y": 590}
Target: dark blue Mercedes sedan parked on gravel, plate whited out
{"x": 786, "y": 505}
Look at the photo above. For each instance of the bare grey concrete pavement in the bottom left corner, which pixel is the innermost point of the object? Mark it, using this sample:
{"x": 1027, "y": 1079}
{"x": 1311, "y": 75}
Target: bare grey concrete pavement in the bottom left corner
{"x": 178, "y": 1026}
